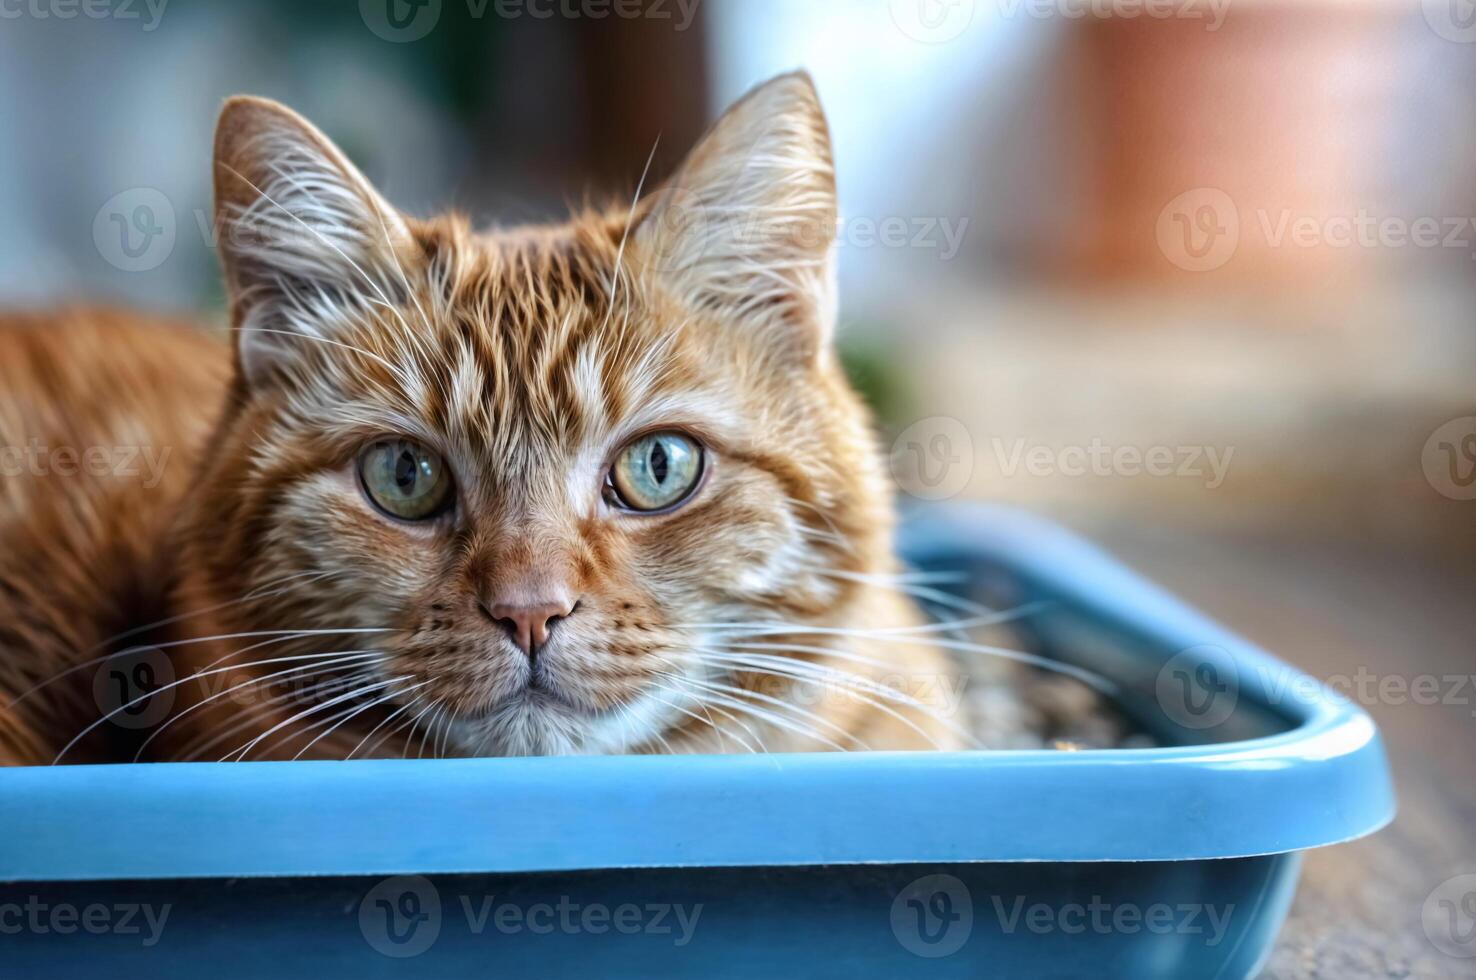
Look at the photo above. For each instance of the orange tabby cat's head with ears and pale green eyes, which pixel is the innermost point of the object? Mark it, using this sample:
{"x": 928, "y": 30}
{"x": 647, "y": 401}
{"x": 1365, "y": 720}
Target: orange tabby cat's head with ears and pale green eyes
{"x": 551, "y": 464}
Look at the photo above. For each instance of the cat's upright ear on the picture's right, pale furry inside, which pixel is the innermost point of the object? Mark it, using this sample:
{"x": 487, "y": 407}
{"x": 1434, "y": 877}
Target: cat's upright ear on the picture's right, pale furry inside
{"x": 746, "y": 227}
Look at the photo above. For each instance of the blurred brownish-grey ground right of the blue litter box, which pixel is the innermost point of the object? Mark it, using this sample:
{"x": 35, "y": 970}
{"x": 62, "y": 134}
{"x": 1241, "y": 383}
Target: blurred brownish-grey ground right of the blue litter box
{"x": 1334, "y": 610}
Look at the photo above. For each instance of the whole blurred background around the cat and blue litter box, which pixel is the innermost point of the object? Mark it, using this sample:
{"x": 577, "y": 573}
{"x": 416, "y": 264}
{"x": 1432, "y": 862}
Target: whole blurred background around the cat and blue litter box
{"x": 1196, "y": 278}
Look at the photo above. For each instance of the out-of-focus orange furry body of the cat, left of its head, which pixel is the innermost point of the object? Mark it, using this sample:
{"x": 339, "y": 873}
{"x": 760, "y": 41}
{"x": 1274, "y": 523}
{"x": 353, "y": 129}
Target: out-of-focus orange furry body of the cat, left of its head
{"x": 103, "y": 417}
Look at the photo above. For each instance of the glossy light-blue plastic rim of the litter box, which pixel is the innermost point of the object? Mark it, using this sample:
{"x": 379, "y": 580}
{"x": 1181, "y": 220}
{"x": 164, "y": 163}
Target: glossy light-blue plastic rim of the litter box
{"x": 1322, "y": 783}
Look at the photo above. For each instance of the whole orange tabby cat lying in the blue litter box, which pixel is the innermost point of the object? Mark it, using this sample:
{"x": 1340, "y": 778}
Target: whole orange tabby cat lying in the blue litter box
{"x": 591, "y": 488}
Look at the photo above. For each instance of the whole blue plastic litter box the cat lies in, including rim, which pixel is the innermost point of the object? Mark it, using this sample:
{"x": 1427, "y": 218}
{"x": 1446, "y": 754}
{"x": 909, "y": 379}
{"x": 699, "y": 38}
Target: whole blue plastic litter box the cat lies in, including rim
{"x": 1156, "y": 863}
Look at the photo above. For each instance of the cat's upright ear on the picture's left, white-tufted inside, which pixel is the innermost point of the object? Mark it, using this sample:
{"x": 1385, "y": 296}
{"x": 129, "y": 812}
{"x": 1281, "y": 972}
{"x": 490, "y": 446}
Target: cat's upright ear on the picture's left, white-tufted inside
{"x": 302, "y": 232}
